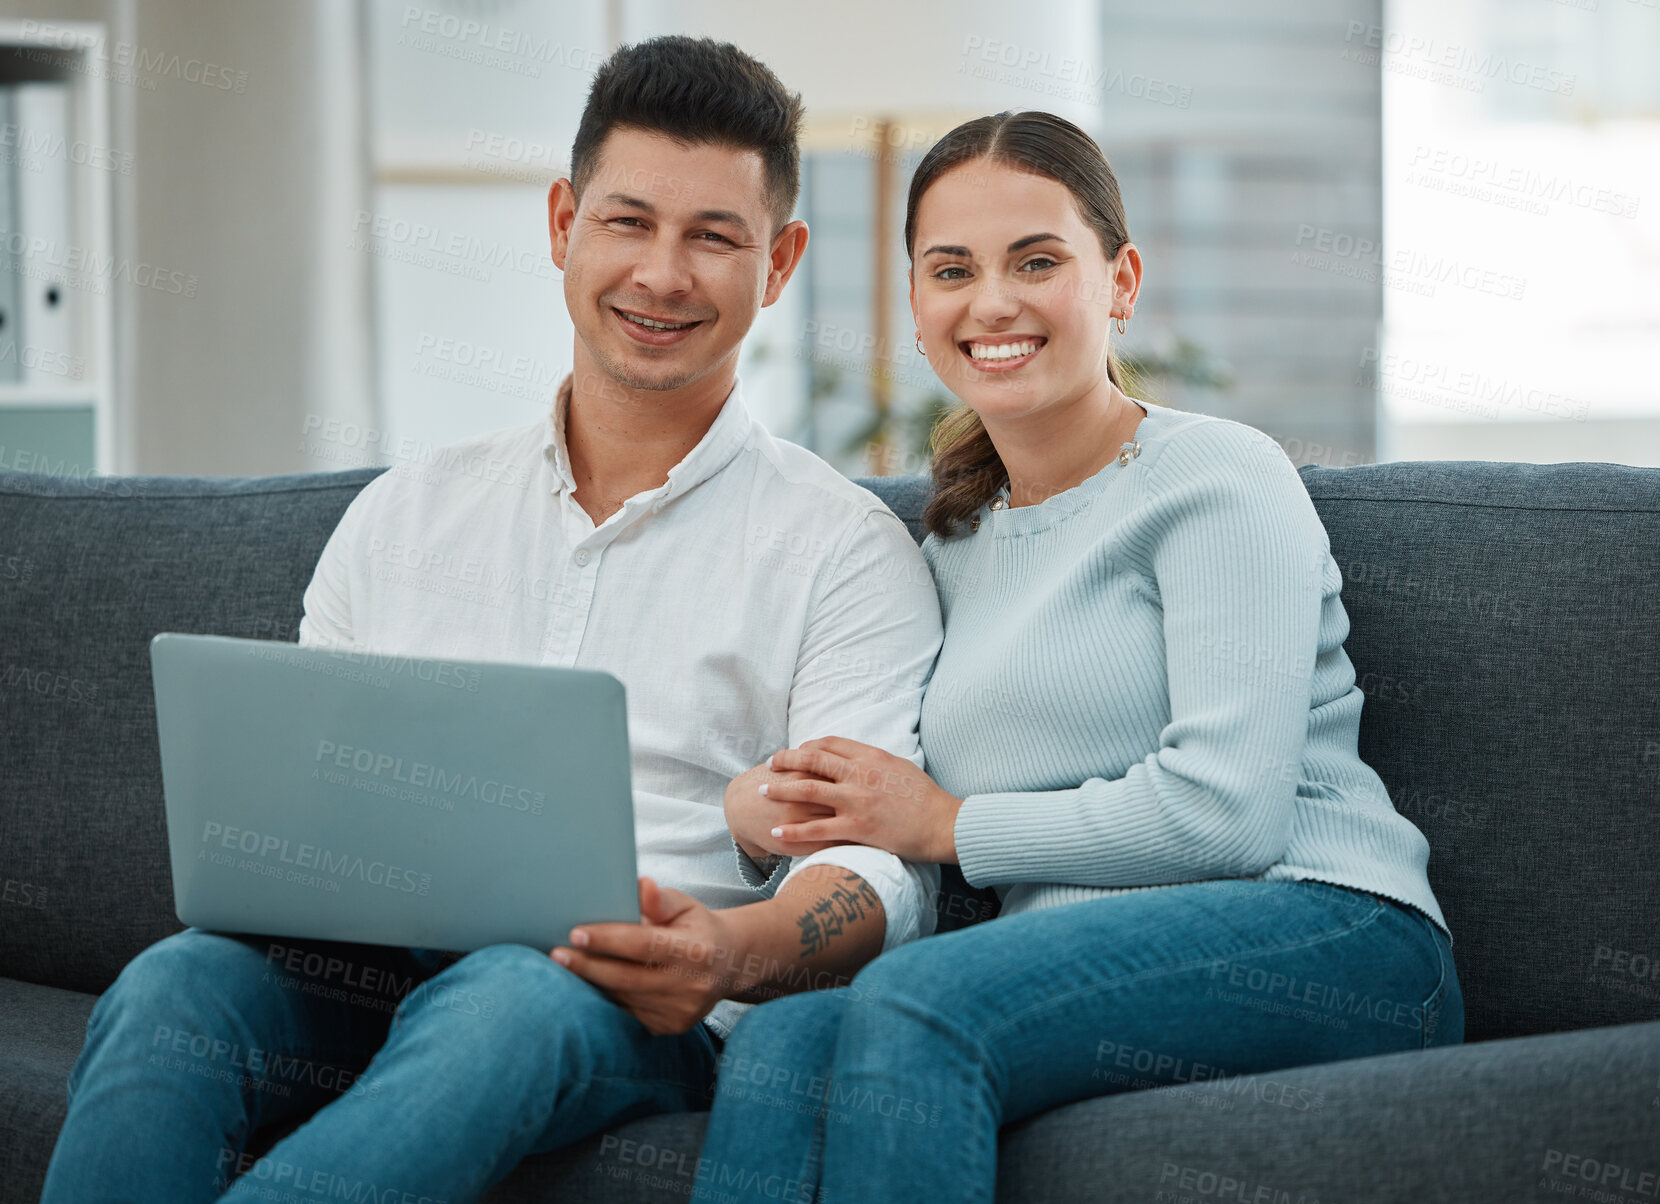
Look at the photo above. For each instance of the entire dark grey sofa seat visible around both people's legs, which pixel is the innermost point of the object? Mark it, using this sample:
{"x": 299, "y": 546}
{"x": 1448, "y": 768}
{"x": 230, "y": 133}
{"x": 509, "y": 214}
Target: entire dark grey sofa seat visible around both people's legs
{"x": 1503, "y": 1122}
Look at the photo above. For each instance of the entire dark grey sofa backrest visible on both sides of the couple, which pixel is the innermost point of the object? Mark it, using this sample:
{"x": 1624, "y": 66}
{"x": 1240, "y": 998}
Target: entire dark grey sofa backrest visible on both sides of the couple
{"x": 1506, "y": 632}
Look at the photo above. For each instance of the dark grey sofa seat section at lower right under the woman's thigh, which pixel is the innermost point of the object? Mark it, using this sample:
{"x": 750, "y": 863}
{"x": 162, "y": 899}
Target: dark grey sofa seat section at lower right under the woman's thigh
{"x": 1538, "y": 1118}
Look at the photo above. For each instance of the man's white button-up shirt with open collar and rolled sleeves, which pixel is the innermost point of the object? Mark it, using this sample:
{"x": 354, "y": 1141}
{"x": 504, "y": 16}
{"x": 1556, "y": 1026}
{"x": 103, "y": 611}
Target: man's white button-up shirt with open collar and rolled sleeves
{"x": 753, "y": 602}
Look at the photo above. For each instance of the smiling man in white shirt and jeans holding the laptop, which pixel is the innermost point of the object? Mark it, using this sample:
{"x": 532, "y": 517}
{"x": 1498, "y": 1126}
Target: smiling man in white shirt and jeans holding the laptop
{"x": 749, "y": 599}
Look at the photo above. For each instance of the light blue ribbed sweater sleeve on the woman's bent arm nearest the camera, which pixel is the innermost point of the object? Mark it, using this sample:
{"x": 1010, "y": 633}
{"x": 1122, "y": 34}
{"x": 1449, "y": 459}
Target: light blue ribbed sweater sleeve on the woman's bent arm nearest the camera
{"x": 1234, "y": 551}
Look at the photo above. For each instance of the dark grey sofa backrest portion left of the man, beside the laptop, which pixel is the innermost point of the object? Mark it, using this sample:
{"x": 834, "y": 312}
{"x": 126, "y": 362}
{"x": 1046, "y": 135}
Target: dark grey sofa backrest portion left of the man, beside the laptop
{"x": 89, "y": 572}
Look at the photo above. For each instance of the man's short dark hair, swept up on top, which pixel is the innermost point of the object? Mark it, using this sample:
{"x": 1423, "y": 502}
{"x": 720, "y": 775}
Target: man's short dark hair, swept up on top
{"x": 698, "y": 92}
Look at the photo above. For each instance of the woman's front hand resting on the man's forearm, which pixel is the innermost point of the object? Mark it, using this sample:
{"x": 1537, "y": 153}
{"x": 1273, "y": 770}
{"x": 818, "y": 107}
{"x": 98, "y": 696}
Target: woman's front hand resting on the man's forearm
{"x": 874, "y": 800}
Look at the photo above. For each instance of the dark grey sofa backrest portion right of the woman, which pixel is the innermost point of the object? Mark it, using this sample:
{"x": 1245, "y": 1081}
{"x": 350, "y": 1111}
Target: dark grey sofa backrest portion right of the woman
{"x": 1505, "y": 625}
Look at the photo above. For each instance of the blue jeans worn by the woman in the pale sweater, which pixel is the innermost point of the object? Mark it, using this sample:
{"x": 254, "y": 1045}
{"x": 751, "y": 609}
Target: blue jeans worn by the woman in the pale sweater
{"x": 894, "y": 1089}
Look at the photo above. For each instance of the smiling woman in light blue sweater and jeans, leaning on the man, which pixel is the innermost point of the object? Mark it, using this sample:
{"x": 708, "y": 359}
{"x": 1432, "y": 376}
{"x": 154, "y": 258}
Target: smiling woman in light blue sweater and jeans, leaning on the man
{"x": 1141, "y": 730}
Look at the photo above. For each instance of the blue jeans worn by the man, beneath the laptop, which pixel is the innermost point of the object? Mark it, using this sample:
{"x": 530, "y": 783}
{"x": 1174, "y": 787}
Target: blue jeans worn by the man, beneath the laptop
{"x": 429, "y": 1087}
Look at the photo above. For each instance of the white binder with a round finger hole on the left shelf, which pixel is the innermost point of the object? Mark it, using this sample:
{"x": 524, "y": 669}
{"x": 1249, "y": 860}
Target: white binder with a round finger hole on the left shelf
{"x": 46, "y": 218}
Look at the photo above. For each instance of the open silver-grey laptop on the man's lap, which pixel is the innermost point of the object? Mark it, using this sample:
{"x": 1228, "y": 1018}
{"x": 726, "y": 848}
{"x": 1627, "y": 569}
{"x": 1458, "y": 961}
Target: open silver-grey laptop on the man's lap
{"x": 321, "y": 793}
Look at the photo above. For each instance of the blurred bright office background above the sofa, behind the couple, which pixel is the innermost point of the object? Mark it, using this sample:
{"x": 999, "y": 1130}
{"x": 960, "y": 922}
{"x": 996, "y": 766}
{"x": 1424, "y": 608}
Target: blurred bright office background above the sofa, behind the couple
{"x": 250, "y": 238}
